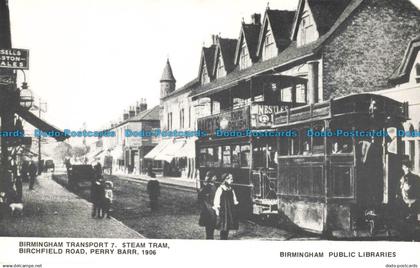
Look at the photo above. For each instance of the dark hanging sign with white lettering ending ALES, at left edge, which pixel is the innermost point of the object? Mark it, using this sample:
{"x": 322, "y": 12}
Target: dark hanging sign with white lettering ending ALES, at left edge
{"x": 14, "y": 58}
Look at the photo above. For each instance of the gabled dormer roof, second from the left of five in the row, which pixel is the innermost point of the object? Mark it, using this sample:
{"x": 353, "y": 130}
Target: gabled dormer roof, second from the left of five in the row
{"x": 226, "y": 47}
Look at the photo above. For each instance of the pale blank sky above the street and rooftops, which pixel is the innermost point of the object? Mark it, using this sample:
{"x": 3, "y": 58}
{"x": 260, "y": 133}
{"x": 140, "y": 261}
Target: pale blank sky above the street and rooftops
{"x": 92, "y": 59}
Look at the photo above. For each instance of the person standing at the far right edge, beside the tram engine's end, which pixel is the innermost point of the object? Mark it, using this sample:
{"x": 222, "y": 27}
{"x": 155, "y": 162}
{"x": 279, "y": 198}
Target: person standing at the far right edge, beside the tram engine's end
{"x": 410, "y": 190}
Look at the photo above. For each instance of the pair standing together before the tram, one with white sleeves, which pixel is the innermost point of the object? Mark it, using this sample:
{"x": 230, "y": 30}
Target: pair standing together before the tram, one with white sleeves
{"x": 218, "y": 206}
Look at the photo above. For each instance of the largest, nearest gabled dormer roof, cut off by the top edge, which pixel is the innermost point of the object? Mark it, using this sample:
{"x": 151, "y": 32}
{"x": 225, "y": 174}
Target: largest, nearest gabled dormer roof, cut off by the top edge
{"x": 324, "y": 12}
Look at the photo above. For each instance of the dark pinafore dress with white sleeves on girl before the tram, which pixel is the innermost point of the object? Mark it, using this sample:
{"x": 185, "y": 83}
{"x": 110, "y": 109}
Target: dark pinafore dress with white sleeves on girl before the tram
{"x": 225, "y": 200}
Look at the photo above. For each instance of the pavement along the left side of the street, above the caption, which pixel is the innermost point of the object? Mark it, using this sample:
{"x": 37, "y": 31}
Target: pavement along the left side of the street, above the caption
{"x": 52, "y": 211}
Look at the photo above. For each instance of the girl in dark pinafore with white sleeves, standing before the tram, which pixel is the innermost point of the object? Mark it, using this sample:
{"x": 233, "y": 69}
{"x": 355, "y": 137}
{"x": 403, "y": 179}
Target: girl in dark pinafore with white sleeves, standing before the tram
{"x": 224, "y": 204}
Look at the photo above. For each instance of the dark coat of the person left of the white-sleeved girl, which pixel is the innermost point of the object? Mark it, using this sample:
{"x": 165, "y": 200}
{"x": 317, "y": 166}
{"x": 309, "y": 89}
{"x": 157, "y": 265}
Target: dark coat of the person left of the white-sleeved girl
{"x": 208, "y": 216}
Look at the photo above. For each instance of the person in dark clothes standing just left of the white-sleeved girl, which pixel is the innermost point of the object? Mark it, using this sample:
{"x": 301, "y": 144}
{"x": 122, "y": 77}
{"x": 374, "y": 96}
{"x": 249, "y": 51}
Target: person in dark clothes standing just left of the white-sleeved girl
{"x": 208, "y": 218}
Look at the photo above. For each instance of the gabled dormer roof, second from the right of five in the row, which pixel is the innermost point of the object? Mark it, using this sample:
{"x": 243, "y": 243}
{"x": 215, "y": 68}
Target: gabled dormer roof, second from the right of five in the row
{"x": 280, "y": 22}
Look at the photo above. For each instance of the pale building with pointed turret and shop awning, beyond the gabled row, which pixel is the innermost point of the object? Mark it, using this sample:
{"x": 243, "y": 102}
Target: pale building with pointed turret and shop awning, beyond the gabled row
{"x": 177, "y": 113}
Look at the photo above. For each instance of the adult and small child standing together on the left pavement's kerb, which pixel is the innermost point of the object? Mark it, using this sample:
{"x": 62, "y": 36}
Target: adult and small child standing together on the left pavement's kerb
{"x": 101, "y": 194}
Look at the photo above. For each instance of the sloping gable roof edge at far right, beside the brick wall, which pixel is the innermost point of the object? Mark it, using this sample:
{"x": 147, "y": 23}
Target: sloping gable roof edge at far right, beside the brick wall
{"x": 402, "y": 73}
